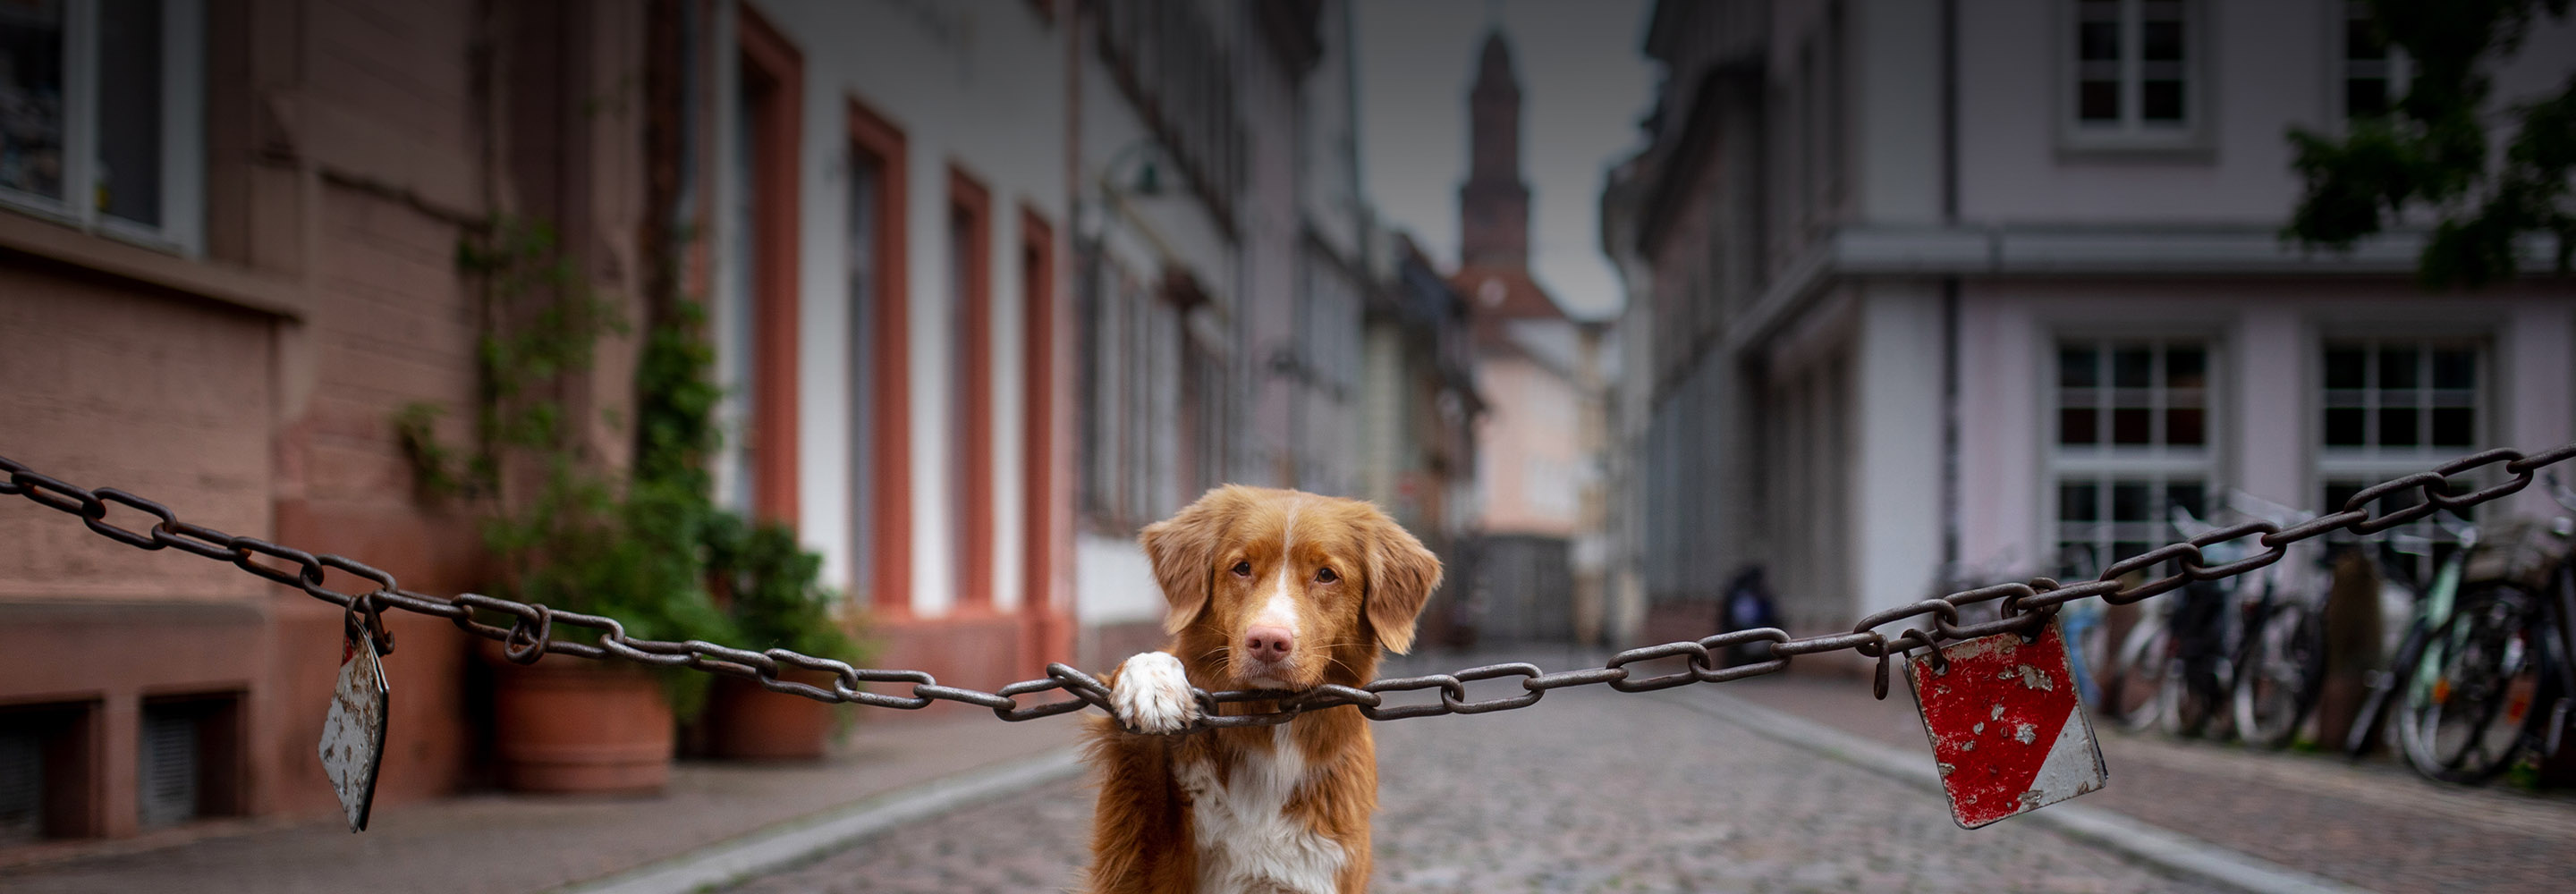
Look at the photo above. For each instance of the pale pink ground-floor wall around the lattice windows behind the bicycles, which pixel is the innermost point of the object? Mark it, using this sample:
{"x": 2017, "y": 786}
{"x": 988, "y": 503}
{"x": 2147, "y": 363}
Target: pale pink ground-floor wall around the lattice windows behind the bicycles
{"x": 2266, "y": 339}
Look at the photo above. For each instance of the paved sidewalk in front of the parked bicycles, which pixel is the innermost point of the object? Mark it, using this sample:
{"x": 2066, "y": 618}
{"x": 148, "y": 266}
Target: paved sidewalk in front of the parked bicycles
{"x": 2371, "y": 826}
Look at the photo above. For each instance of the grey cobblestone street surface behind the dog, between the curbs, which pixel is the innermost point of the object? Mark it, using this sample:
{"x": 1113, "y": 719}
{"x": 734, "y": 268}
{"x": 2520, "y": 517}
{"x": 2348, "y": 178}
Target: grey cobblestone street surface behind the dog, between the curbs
{"x": 1596, "y": 792}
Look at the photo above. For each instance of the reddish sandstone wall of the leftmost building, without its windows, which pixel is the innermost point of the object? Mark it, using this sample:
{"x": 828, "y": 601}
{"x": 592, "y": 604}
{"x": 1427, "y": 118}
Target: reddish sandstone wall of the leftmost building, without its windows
{"x": 344, "y": 161}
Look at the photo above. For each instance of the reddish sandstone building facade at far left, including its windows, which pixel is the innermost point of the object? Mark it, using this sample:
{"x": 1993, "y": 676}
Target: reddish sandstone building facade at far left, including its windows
{"x": 241, "y": 228}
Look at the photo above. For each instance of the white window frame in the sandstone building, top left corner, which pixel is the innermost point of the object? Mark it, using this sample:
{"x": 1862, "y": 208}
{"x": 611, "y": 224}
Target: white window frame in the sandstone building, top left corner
{"x": 184, "y": 133}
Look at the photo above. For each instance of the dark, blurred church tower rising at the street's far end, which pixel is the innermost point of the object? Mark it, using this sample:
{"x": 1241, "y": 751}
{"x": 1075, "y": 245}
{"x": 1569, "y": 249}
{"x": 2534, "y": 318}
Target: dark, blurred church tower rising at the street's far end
{"x": 1495, "y": 205}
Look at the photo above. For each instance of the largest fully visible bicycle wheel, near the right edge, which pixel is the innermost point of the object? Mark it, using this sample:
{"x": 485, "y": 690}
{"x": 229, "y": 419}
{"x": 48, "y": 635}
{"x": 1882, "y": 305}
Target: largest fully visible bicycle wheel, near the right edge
{"x": 2472, "y": 689}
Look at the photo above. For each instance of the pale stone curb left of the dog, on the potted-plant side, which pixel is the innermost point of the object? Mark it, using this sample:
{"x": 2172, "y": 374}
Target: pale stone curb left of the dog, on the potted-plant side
{"x": 797, "y": 841}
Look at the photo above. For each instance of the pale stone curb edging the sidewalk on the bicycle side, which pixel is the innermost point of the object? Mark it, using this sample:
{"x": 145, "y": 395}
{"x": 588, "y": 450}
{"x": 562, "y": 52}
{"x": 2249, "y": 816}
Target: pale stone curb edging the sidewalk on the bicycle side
{"x": 2132, "y": 839}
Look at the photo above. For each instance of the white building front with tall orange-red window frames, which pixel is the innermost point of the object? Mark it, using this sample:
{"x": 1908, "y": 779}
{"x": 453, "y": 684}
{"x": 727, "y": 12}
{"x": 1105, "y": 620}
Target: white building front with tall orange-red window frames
{"x": 885, "y": 274}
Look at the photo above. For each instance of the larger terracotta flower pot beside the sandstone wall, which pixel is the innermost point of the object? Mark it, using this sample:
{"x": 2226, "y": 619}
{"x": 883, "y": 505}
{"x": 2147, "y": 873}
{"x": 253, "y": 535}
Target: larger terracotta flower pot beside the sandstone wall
{"x": 581, "y": 728}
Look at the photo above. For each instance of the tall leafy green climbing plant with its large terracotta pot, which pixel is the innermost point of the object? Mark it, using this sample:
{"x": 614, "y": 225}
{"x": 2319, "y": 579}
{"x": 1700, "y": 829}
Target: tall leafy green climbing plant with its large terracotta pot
{"x": 573, "y": 532}
